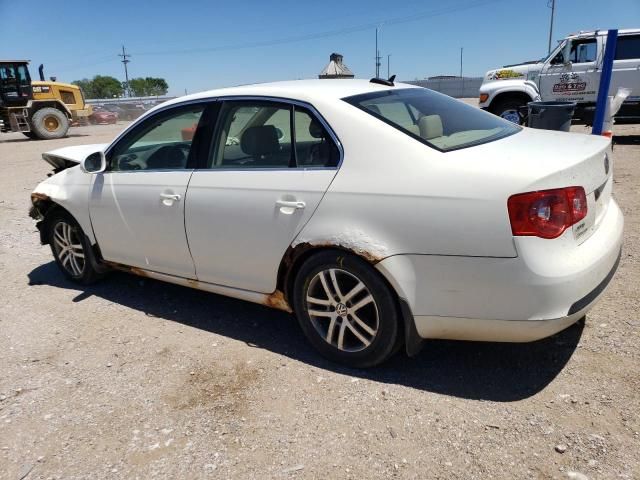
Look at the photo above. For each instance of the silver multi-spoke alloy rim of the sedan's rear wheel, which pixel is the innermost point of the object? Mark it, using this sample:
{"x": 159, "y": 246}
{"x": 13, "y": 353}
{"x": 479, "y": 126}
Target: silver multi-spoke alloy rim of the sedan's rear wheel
{"x": 342, "y": 310}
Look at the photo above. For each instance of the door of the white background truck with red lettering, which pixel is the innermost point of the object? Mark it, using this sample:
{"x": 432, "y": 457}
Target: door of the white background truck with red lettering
{"x": 575, "y": 79}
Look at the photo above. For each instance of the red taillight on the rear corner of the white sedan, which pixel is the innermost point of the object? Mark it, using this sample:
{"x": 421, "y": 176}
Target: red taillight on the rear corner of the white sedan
{"x": 547, "y": 213}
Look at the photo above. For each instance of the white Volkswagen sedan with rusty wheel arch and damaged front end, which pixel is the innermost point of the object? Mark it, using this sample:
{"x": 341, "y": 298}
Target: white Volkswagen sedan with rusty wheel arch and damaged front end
{"x": 380, "y": 214}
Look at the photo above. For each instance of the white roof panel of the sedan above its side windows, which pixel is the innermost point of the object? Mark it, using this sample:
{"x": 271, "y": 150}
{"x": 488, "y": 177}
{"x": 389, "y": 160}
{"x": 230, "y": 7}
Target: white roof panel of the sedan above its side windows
{"x": 302, "y": 90}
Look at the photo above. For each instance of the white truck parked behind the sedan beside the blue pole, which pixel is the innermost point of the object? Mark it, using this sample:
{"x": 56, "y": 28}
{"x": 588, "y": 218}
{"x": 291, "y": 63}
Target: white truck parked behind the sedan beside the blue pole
{"x": 571, "y": 72}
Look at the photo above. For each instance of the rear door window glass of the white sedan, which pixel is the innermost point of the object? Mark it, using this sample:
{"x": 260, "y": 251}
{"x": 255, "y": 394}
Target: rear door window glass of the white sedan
{"x": 263, "y": 134}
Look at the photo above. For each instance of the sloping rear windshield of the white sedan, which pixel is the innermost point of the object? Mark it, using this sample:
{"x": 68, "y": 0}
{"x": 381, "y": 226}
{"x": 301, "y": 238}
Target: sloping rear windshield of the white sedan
{"x": 434, "y": 119}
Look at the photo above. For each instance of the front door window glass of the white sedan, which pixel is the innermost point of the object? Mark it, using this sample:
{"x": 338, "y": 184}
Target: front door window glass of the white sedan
{"x": 162, "y": 142}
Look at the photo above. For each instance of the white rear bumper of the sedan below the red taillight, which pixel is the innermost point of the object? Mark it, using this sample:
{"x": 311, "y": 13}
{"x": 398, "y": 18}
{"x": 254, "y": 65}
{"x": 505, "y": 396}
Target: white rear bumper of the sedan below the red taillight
{"x": 542, "y": 291}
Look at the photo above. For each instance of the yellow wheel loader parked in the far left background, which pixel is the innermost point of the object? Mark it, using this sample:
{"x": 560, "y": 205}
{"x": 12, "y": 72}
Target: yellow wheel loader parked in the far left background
{"x": 39, "y": 109}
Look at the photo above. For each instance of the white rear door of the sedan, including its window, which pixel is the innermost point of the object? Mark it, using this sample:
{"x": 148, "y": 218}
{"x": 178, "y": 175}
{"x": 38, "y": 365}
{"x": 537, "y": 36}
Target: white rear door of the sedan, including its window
{"x": 269, "y": 166}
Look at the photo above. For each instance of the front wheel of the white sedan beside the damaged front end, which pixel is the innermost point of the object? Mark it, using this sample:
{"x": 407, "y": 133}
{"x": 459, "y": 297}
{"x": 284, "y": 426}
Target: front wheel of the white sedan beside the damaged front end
{"x": 56, "y": 224}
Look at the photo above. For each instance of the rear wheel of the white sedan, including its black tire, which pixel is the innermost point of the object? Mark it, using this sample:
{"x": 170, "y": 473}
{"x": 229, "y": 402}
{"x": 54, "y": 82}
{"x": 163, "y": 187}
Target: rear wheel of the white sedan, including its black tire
{"x": 348, "y": 270}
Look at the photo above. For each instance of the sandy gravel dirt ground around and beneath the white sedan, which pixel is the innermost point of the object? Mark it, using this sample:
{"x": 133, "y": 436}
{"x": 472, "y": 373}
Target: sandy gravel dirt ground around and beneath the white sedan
{"x": 132, "y": 378}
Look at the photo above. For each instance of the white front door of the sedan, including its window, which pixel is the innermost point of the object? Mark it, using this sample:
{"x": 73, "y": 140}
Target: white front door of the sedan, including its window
{"x": 137, "y": 205}
